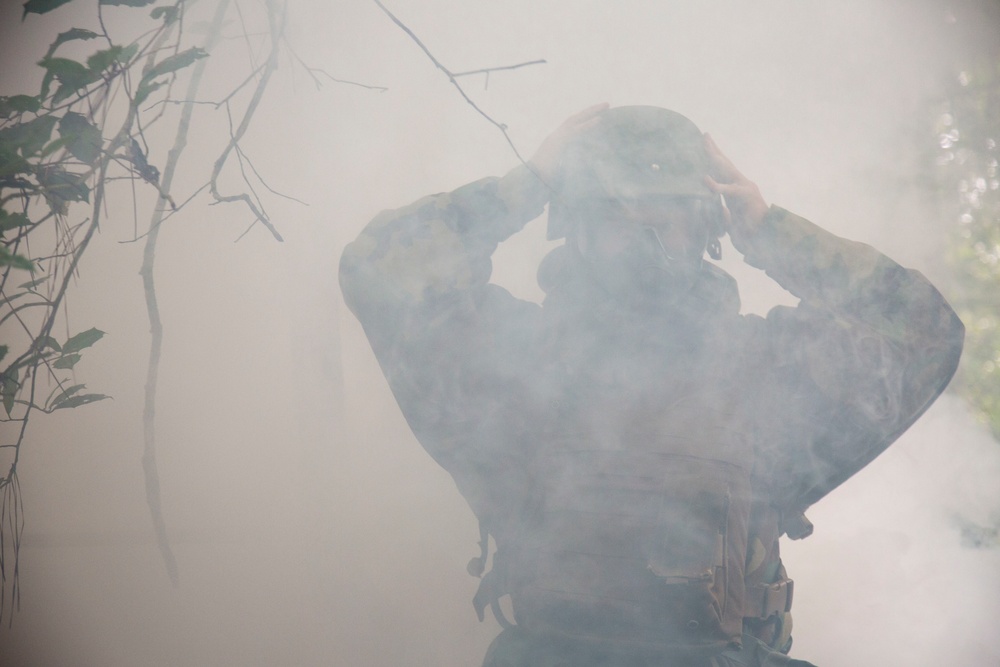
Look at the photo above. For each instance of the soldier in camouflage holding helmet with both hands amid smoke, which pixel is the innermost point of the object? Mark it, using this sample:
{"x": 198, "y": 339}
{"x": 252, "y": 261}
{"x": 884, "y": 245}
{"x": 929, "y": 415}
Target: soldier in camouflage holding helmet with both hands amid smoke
{"x": 635, "y": 446}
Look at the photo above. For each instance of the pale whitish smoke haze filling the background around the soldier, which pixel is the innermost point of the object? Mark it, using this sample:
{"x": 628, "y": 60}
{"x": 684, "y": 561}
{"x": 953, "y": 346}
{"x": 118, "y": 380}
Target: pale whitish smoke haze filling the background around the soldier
{"x": 309, "y": 526}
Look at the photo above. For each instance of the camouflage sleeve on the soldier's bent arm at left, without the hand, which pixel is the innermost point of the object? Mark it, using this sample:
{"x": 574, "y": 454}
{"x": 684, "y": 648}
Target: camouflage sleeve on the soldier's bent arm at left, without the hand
{"x": 418, "y": 280}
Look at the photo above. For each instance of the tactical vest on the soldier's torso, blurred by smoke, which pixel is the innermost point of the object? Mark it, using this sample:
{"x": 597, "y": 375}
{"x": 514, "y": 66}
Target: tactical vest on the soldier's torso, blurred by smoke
{"x": 635, "y": 531}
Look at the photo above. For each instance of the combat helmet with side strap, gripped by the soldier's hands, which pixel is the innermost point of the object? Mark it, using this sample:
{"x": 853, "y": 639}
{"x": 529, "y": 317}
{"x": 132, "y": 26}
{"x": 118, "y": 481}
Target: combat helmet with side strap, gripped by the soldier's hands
{"x": 634, "y": 152}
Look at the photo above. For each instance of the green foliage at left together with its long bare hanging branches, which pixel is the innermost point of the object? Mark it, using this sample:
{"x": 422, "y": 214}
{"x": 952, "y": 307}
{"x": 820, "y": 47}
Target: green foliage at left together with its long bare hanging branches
{"x": 58, "y": 154}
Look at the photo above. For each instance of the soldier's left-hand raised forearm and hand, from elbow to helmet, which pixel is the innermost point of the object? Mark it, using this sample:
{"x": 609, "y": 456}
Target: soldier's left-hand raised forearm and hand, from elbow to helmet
{"x": 407, "y": 258}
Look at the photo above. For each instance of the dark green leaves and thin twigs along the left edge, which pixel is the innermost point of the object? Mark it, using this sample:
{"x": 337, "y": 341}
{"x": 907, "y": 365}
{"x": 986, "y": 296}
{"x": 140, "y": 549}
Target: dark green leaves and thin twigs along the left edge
{"x": 58, "y": 152}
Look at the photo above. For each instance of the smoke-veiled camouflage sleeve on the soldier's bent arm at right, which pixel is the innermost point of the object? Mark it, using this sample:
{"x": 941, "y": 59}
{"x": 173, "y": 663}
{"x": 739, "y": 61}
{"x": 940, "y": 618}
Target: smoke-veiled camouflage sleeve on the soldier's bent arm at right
{"x": 869, "y": 347}
